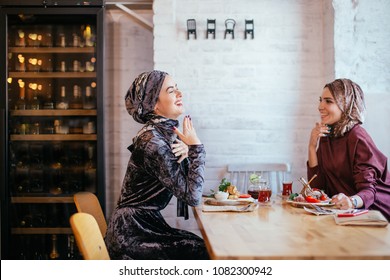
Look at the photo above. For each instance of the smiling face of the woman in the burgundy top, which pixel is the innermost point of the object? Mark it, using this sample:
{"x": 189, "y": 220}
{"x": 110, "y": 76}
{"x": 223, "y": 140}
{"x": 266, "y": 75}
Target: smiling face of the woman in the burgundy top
{"x": 329, "y": 110}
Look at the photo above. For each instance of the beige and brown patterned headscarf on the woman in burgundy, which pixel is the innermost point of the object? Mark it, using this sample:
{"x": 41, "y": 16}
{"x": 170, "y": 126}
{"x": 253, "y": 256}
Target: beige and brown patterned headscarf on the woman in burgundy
{"x": 350, "y": 99}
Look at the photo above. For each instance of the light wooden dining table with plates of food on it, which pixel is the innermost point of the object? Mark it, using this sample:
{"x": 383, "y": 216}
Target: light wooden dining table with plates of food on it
{"x": 281, "y": 231}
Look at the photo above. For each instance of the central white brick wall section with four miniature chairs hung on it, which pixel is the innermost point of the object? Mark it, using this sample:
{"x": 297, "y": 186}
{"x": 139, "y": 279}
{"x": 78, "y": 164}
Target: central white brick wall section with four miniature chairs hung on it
{"x": 251, "y": 100}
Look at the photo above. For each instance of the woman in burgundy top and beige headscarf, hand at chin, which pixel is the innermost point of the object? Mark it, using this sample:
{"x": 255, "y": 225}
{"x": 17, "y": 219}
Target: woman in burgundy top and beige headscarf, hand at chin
{"x": 349, "y": 166}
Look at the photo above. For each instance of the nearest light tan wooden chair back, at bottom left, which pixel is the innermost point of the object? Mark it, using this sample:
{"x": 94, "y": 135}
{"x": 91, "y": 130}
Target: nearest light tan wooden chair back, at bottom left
{"x": 88, "y": 237}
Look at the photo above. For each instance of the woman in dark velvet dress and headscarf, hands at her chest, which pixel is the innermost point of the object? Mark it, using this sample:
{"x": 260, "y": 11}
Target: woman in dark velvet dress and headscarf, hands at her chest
{"x": 160, "y": 166}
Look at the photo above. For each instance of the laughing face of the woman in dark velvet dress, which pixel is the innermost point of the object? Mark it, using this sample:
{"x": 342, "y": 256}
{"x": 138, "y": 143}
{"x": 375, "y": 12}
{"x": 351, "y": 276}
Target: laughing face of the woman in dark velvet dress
{"x": 169, "y": 103}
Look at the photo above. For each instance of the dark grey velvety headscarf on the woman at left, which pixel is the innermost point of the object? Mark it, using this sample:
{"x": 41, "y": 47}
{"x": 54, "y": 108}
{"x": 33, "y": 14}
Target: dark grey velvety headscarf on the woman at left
{"x": 143, "y": 94}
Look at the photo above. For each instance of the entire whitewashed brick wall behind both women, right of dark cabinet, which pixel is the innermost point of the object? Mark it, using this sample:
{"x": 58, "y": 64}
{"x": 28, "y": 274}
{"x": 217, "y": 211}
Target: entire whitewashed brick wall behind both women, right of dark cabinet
{"x": 251, "y": 100}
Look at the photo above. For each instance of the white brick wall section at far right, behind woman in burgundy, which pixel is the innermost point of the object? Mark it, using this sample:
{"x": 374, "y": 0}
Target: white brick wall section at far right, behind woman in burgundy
{"x": 362, "y": 53}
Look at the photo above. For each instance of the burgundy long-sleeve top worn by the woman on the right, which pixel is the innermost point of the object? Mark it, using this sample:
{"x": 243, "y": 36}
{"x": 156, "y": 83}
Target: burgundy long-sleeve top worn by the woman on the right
{"x": 353, "y": 165}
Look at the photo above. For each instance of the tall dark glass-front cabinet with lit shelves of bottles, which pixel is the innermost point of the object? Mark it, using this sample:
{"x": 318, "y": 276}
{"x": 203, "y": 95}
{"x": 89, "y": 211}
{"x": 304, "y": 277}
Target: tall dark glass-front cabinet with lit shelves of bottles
{"x": 51, "y": 122}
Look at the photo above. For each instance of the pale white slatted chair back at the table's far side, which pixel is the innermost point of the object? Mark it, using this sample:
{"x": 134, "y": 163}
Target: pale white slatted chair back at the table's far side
{"x": 238, "y": 174}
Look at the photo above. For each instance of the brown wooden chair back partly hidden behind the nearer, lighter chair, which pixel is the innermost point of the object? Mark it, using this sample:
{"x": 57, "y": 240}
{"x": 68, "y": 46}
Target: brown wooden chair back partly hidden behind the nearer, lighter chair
{"x": 87, "y": 202}
